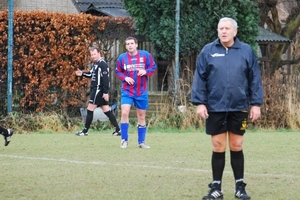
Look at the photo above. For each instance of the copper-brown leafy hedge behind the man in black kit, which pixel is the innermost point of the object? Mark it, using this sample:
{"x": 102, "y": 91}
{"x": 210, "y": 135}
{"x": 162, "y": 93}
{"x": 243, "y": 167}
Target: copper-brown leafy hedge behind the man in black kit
{"x": 48, "y": 48}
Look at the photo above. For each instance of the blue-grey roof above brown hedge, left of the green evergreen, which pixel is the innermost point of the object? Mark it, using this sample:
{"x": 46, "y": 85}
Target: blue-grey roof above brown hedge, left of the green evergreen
{"x": 112, "y": 8}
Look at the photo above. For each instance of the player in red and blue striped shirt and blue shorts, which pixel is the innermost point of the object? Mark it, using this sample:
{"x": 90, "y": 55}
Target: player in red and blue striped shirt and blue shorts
{"x": 133, "y": 68}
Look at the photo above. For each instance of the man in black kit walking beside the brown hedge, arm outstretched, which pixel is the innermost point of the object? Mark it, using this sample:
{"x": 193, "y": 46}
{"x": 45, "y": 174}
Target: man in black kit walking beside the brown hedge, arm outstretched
{"x": 99, "y": 97}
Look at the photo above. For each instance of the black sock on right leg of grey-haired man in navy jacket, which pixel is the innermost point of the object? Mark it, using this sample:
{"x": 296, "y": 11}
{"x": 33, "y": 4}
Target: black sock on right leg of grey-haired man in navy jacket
{"x": 237, "y": 164}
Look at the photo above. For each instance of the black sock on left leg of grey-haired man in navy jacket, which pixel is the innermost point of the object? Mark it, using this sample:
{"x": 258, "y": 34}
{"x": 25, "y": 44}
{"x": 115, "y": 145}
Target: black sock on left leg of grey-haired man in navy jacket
{"x": 218, "y": 164}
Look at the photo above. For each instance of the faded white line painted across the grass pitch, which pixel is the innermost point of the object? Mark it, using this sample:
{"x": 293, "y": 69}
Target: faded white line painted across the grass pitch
{"x": 138, "y": 165}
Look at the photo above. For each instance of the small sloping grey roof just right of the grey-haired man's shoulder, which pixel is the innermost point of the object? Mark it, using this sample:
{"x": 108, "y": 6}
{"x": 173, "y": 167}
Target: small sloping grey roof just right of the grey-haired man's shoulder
{"x": 269, "y": 36}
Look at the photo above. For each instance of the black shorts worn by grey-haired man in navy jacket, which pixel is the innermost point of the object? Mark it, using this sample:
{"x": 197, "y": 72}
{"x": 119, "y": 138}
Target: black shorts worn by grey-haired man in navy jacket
{"x": 220, "y": 122}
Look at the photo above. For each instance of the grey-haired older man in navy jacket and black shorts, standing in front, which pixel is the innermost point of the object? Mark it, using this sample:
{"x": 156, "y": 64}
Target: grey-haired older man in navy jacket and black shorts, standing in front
{"x": 227, "y": 80}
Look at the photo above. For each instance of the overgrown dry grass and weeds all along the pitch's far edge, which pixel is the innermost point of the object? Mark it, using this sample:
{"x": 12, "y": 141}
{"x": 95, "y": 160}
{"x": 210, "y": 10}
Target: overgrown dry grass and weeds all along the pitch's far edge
{"x": 280, "y": 110}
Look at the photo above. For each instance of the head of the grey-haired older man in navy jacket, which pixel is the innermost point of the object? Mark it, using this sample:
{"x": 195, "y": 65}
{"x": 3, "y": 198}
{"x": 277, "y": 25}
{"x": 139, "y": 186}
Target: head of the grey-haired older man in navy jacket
{"x": 226, "y": 33}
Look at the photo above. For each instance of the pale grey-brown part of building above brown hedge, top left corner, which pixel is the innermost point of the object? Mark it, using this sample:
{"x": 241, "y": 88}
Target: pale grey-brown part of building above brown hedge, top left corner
{"x": 65, "y": 6}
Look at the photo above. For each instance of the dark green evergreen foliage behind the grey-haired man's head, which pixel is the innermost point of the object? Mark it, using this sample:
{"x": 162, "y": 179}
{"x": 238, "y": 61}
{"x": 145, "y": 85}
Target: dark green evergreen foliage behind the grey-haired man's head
{"x": 198, "y": 22}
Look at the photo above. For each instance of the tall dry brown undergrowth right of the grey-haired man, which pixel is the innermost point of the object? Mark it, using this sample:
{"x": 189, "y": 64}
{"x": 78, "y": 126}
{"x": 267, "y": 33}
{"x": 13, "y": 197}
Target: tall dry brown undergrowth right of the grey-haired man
{"x": 281, "y": 103}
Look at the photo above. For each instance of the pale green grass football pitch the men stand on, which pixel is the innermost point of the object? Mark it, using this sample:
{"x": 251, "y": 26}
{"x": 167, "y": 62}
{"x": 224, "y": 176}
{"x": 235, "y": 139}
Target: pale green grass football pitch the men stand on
{"x": 63, "y": 166}
